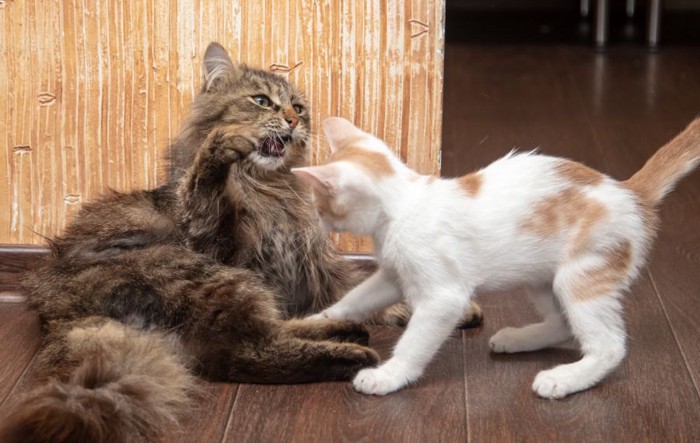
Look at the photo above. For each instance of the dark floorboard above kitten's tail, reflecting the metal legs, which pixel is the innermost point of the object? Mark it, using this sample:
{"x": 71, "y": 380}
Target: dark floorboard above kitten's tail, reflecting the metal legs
{"x": 635, "y": 100}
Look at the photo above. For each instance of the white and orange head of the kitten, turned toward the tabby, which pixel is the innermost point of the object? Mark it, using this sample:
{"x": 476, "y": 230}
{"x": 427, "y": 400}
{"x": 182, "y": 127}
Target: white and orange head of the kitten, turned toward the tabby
{"x": 347, "y": 188}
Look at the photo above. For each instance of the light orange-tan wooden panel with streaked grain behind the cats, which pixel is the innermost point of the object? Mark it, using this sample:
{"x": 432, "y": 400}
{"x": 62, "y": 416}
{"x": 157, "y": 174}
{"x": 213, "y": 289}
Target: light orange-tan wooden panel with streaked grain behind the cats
{"x": 91, "y": 91}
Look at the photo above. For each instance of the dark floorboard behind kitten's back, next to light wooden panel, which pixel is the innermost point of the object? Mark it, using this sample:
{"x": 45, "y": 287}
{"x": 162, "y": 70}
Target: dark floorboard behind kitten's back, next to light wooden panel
{"x": 511, "y": 97}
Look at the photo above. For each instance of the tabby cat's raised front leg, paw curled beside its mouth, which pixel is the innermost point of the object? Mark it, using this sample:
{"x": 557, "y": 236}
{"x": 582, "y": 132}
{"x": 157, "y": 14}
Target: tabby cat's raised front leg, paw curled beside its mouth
{"x": 207, "y": 211}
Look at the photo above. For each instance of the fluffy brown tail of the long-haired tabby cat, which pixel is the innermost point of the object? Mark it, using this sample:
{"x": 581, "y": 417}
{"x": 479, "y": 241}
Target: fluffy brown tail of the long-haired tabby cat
{"x": 126, "y": 385}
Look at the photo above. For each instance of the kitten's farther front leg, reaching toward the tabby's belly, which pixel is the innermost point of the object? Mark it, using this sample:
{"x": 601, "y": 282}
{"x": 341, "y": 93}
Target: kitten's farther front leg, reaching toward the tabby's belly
{"x": 369, "y": 297}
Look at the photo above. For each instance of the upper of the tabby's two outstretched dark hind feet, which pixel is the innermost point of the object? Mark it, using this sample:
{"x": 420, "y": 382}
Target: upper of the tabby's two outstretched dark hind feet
{"x": 334, "y": 330}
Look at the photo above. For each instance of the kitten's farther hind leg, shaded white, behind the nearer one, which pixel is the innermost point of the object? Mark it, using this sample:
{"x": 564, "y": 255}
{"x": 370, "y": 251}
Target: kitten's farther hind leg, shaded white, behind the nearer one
{"x": 553, "y": 330}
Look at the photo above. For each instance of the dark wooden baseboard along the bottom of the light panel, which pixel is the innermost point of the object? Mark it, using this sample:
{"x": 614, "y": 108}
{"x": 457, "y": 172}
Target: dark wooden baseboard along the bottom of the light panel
{"x": 17, "y": 259}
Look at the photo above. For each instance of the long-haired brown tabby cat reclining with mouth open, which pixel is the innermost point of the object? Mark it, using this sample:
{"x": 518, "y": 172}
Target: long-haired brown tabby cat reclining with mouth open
{"x": 203, "y": 274}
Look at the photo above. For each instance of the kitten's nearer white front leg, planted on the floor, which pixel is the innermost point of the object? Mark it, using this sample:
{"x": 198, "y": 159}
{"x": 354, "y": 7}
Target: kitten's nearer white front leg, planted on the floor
{"x": 432, "y": 322}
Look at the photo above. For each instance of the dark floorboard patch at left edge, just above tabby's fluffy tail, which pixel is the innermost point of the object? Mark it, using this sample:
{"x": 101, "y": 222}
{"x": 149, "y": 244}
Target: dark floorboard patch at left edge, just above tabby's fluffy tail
{"x": 19, "y": 339}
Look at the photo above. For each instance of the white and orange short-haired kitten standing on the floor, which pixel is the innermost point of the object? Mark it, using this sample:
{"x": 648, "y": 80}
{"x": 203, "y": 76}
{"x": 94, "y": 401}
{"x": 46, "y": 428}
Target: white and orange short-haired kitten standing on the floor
{"x": 574, "y": 237}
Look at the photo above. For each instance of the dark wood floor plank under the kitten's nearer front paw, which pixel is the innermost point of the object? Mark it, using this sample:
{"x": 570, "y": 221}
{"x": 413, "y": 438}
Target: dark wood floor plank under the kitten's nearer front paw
{"x": 431, "y": 410}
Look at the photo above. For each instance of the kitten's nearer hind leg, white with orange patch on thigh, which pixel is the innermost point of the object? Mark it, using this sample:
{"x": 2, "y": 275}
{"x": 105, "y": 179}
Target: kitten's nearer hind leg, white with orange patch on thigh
{"x": 590, "y": 299}
